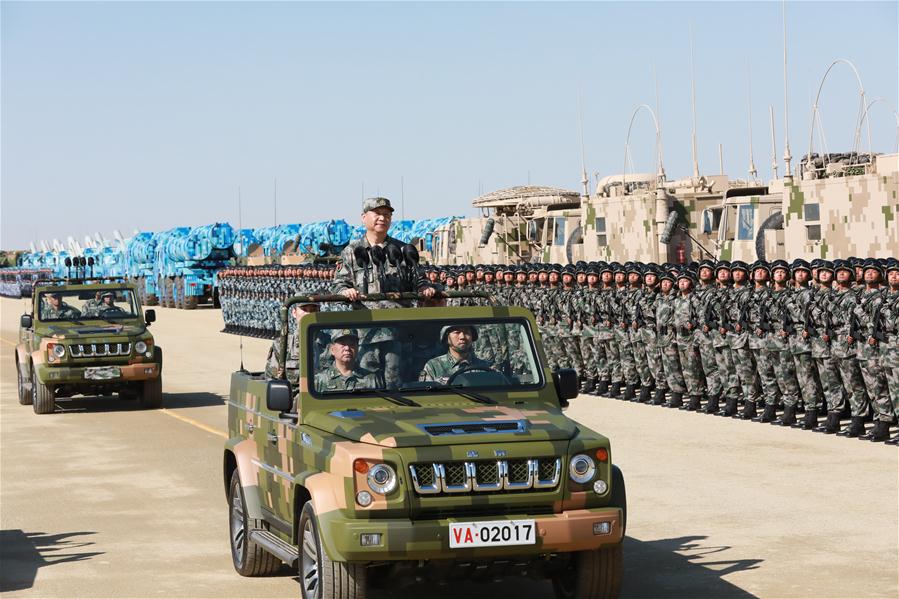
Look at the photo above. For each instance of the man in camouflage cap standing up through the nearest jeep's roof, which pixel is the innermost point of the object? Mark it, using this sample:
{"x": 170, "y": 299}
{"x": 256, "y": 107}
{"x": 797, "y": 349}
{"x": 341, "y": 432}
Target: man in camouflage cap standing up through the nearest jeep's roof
{"x": 354, "y": 280}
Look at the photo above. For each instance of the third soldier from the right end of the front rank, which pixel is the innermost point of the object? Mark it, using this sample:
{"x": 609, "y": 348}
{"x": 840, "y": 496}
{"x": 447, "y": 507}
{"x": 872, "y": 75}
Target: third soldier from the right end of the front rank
{"x": 841, "y": 309}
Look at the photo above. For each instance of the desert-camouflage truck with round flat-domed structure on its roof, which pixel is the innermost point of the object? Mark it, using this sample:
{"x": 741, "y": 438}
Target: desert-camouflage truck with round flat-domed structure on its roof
{"x": 519, "y": 224}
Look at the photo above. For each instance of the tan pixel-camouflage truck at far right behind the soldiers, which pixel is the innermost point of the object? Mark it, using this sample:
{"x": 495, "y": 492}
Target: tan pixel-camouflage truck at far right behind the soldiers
{"x": 844, "y": 205}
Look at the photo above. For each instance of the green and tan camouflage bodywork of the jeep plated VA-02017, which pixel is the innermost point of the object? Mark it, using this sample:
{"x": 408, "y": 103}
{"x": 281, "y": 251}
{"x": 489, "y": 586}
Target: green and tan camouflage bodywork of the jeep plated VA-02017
{"x": 286, "y": 459}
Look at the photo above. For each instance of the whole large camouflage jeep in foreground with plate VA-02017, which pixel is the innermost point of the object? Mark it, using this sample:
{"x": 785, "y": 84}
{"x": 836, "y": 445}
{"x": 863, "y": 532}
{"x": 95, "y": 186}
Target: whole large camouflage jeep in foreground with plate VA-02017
{"x": 419, "y": 444}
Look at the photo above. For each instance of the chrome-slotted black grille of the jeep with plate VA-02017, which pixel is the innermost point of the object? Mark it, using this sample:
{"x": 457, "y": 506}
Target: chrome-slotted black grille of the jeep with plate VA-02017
{"x": 485, "y": 476}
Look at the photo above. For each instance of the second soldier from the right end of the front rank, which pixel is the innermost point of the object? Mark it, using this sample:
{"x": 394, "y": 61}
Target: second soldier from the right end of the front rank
{"x": 868, "y": 335}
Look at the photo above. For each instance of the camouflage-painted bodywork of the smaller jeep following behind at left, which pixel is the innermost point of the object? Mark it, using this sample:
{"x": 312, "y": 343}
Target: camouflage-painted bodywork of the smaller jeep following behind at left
{"x": 67, "y": 373}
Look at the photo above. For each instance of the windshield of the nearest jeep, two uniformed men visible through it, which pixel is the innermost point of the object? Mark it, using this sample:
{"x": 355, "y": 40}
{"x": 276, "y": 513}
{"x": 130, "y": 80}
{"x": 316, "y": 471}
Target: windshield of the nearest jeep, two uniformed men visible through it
{"x": 424, "y": 356}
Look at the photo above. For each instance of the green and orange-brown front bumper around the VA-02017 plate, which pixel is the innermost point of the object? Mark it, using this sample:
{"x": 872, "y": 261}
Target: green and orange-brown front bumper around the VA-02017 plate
{"x": 429, "y": 539}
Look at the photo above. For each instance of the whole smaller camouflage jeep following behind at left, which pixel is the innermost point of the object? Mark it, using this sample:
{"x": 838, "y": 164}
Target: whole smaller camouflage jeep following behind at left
{"x": 86, "y": 337}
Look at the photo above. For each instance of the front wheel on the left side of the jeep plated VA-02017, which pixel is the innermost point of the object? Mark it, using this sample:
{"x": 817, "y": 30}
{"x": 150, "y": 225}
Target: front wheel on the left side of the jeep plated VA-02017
{"x": 321, "y": 578}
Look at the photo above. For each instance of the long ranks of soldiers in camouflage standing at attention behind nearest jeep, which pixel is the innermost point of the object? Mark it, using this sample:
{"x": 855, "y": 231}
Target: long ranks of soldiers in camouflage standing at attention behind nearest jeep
{"x": 794, "y": 344}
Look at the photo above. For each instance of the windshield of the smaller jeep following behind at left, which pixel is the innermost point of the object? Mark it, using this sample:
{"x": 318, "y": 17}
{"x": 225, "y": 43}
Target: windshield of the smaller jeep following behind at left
{"x": 86, "y": 304}
